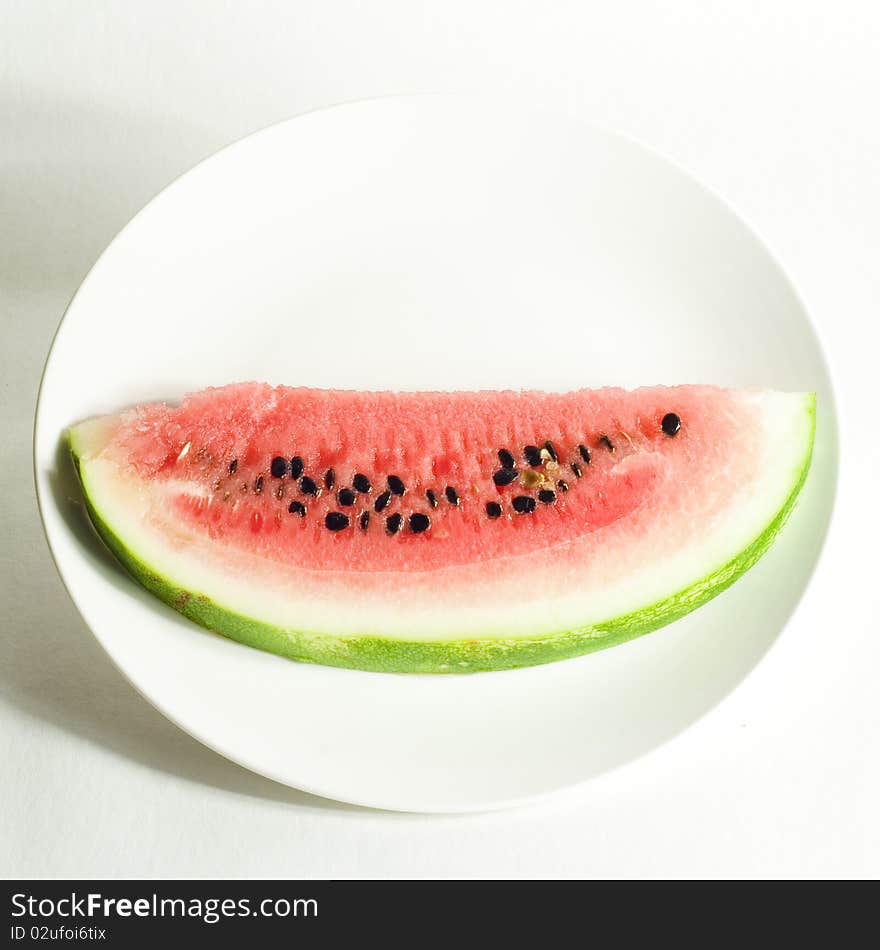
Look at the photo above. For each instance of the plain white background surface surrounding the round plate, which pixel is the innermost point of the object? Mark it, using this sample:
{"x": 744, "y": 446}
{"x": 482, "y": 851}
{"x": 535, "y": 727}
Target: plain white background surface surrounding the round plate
{"x": 774, "y": 105}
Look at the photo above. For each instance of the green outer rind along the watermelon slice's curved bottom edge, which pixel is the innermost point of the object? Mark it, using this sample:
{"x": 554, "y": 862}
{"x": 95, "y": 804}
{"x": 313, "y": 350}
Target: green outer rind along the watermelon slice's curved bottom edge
{"x": 393, "y": 655}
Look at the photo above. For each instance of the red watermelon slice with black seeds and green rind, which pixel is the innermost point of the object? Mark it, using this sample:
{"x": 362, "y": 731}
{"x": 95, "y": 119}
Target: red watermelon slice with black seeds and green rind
{"x": 443, "y": 531}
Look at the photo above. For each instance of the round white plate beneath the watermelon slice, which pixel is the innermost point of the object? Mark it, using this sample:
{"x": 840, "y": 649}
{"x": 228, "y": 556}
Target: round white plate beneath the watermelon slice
{"x": 430, "y": 242}
